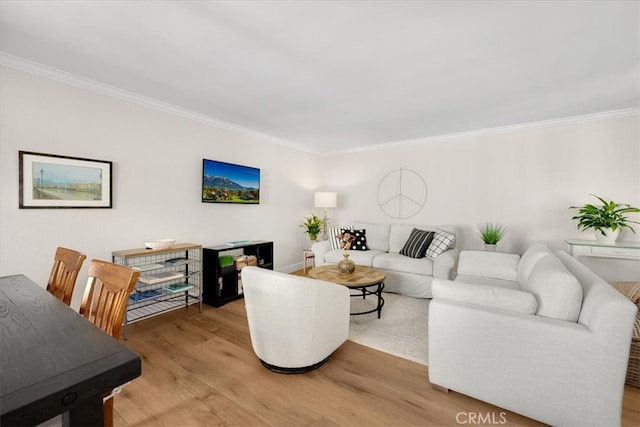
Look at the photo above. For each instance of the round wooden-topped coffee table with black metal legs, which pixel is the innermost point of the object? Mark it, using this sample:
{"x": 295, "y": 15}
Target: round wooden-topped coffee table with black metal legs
{"x": 367, "y": 280}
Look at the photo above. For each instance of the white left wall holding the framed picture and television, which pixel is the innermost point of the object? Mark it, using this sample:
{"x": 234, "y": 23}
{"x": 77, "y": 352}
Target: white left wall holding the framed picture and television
{"x": 157, "y": 166}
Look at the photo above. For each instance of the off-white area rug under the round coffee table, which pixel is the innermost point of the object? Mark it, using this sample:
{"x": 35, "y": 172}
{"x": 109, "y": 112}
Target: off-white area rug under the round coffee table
{"x": 401, "y": 331}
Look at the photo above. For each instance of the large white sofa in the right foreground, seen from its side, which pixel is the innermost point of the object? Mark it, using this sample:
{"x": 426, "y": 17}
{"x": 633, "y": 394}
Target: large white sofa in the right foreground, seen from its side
{"x": 540, "y": 335}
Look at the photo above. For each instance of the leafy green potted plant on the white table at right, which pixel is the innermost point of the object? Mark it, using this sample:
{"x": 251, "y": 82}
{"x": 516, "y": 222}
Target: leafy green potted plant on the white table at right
{"x": 606, "y": 220}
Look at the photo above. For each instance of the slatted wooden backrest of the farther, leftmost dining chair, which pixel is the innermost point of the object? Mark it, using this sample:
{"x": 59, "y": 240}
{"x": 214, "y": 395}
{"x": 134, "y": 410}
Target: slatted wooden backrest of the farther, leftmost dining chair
{"x": 62, "y": 280}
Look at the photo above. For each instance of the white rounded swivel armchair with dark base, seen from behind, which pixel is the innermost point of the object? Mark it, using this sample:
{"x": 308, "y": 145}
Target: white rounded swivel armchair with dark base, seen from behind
{"x": 295, "y": 322}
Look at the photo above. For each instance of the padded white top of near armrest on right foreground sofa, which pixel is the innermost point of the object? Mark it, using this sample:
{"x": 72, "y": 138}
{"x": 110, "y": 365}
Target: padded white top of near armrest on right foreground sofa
{"x": 488, "y": 296}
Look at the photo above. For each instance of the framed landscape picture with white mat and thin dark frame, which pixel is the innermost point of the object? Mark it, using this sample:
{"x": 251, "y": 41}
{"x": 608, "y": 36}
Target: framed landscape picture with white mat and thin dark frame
{"x": 52, "y": 181}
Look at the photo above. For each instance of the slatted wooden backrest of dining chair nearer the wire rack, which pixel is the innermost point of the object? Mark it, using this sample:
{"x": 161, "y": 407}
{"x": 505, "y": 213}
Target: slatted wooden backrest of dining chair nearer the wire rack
{"x": 106, "y": 295}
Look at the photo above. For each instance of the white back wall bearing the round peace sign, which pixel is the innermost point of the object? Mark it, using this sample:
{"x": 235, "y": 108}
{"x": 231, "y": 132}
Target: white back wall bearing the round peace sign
{"x": 523, "y": 178}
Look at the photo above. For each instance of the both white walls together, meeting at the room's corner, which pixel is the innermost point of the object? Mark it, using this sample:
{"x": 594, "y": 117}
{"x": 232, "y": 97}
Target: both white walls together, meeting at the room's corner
{"x": 523, "y": 178}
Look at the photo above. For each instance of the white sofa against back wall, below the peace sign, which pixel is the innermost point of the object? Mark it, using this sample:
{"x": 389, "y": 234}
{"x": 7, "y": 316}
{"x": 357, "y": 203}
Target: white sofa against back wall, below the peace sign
{"x": 404, "y": 275}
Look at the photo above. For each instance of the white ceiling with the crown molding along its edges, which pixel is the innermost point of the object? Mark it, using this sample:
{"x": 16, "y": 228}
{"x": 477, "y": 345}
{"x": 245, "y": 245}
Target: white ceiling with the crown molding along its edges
{"x": 332, "y": 76}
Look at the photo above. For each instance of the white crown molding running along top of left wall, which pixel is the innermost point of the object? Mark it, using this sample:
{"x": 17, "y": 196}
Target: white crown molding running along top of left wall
{"x": 60, "y": 76}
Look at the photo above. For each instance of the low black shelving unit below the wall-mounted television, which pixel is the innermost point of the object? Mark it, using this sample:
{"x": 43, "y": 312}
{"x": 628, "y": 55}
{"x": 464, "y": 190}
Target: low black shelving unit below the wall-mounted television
{"x": 221, "y": 284}
